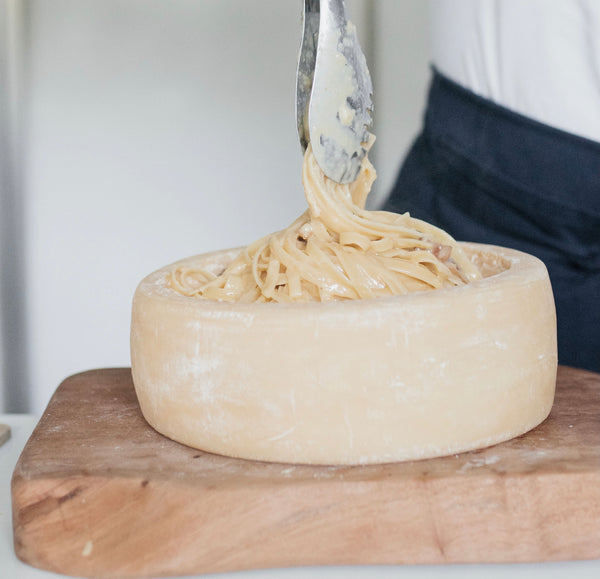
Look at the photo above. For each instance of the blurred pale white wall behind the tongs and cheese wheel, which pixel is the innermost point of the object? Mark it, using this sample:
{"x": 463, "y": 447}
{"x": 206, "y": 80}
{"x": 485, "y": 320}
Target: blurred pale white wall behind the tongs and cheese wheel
{"x": 149, "y": 130}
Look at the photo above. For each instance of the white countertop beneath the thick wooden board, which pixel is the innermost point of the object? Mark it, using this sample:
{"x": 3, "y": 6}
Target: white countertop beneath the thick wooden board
{"x": 11, "y": 568}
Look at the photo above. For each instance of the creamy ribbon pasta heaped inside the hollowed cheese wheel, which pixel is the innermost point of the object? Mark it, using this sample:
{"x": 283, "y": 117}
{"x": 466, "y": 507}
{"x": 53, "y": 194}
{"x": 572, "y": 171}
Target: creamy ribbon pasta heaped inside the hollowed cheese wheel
{"x": 337, "y": 250}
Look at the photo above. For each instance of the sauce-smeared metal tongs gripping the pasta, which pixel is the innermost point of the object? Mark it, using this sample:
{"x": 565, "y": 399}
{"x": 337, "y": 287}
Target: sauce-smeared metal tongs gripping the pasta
{"x": 333, "y": 91}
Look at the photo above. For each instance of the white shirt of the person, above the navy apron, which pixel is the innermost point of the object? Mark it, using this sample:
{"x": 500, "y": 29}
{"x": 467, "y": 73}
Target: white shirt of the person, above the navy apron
{"x": 540, "y": 58}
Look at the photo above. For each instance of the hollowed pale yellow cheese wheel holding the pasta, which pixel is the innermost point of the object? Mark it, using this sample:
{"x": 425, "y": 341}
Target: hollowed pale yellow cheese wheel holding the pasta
{"x": 356, "y": 382}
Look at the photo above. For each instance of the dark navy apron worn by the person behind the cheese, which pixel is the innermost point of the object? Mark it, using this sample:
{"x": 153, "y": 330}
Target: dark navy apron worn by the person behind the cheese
{"x": 486, "y": 174}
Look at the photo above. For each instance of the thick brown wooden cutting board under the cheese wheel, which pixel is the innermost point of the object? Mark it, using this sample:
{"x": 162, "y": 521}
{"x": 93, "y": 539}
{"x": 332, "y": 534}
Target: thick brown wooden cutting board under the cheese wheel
{"x": 97, "y": 492}
